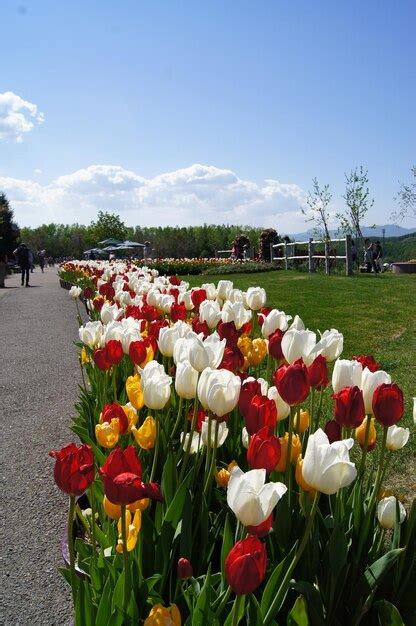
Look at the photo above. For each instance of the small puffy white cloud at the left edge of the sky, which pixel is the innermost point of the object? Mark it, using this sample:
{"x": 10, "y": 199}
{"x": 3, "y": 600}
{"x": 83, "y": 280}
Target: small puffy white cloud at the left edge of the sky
{"x": 17, "y": 116}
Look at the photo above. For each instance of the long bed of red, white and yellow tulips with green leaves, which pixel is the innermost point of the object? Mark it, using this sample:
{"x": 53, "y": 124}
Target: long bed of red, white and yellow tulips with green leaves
{"x": 208, "y": 487}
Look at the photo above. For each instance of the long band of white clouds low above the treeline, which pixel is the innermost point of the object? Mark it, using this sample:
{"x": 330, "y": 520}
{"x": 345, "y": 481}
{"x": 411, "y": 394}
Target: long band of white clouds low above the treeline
{"x": 193, "y": 195}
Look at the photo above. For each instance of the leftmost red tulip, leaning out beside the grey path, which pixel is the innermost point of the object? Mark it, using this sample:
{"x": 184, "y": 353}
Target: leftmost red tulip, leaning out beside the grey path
{"x": 74, "y": 468}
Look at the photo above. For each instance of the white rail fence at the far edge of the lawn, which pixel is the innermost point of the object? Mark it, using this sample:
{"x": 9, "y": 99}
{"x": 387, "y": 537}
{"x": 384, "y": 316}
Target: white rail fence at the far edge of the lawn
{"x": 330, "y": 255}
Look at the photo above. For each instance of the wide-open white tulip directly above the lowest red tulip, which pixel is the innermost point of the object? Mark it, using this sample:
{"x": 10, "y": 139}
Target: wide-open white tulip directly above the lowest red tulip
{"x": 250, "y": 499}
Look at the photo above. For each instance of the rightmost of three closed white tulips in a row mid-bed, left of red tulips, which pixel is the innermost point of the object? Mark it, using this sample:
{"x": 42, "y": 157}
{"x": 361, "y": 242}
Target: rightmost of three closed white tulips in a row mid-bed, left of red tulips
{"x": 218, "y": 390}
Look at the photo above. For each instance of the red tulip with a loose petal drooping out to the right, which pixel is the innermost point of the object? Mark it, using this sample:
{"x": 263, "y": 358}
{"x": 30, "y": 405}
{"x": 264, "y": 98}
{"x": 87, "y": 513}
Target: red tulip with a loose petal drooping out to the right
{"x": 122, "y": 478}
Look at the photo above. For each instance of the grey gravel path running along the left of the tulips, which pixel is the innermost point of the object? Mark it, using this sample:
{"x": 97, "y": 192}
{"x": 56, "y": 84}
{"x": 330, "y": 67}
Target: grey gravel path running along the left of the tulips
{"x": 39, "y": 379}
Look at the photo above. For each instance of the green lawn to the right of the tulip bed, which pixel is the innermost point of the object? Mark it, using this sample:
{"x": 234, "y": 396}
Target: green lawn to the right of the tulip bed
{"x": 376, "y": 314}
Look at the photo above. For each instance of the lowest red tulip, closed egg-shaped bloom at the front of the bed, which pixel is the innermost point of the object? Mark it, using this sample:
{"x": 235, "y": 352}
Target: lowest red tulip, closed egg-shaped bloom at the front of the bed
{"x": 245, "y": 565}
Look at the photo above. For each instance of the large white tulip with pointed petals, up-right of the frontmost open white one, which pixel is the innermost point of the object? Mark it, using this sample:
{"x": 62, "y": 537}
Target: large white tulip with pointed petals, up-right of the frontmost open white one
{"x": 327, "y": 466}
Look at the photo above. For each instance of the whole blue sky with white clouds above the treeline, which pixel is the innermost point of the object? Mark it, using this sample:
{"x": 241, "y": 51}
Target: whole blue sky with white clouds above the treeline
{"x": 185, "y": 112}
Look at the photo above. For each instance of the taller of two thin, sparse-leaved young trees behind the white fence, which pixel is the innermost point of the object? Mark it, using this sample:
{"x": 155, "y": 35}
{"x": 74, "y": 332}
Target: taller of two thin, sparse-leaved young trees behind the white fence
{"x": 358, "y": 201}
